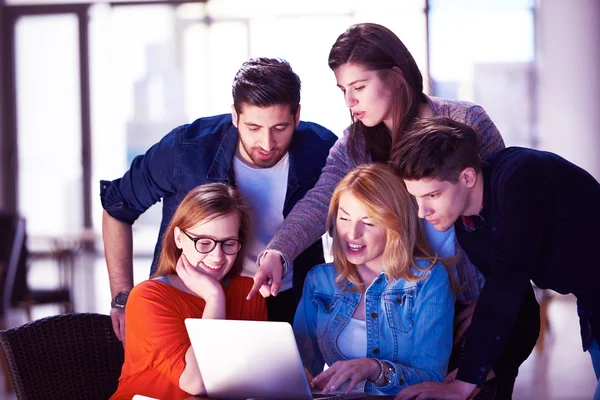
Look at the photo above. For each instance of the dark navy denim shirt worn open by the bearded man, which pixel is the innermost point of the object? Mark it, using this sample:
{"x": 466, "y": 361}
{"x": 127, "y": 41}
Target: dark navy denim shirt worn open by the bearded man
{"x": 202, "y": 152}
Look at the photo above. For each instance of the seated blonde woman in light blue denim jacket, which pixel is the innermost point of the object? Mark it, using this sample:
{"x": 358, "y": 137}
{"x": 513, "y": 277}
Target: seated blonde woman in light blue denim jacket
{"x": 380, "y": 316}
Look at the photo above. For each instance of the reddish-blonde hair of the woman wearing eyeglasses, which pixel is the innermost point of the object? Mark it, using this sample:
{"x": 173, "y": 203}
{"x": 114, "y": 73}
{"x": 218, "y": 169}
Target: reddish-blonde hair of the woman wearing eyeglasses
{"x": 203, "y": 204}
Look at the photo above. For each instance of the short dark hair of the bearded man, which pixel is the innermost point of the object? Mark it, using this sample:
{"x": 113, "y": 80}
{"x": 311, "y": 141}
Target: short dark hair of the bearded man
{"x": 265, "y": 82}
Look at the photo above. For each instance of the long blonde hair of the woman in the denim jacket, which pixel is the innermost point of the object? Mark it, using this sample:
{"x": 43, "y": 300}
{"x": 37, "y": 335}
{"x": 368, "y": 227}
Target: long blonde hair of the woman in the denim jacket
{"x": 390, "y": 206}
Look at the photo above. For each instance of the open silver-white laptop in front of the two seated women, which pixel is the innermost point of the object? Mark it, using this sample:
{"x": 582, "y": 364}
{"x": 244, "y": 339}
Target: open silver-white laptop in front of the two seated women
{"x": 252, "y": 360}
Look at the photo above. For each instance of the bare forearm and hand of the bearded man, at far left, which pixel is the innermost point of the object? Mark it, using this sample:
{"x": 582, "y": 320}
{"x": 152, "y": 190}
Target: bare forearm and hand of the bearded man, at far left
{"x": 118, "y": 249}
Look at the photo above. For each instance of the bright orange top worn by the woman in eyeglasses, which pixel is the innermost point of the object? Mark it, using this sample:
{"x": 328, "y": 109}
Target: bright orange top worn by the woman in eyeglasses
{"x": 156, "y": 339}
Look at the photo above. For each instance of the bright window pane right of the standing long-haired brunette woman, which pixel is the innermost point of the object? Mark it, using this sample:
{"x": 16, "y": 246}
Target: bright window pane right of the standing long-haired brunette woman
{"x": 479, "y": 52}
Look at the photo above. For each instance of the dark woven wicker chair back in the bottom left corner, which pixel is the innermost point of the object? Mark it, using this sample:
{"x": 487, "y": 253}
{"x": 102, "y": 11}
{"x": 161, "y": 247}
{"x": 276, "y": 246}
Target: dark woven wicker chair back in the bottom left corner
{"x": 65, "y": 356}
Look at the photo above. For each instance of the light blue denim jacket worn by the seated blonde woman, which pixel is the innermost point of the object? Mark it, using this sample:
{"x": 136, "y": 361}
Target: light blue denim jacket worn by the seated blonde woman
{"x": 409, "y": 324}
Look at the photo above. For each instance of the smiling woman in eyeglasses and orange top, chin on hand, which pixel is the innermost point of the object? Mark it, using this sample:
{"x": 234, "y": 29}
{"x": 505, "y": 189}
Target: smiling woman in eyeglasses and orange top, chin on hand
{"x": 197, "y": 277}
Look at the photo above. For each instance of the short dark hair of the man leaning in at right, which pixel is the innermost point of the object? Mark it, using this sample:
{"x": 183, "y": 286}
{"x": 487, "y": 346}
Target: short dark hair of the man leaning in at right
{"x": 438, "y": 148}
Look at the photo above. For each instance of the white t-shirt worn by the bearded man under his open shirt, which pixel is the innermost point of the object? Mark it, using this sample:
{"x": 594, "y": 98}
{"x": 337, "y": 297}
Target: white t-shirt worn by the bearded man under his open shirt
{"x": 265, "y": 190}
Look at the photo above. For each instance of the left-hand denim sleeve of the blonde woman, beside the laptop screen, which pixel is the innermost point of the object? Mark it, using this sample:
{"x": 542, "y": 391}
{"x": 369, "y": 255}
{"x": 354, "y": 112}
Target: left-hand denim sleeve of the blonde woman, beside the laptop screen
{"x": 305, "y": 328}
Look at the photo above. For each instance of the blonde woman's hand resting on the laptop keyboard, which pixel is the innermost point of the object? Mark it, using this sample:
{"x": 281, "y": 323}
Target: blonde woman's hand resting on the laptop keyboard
{"x": 340, "y": 372}
